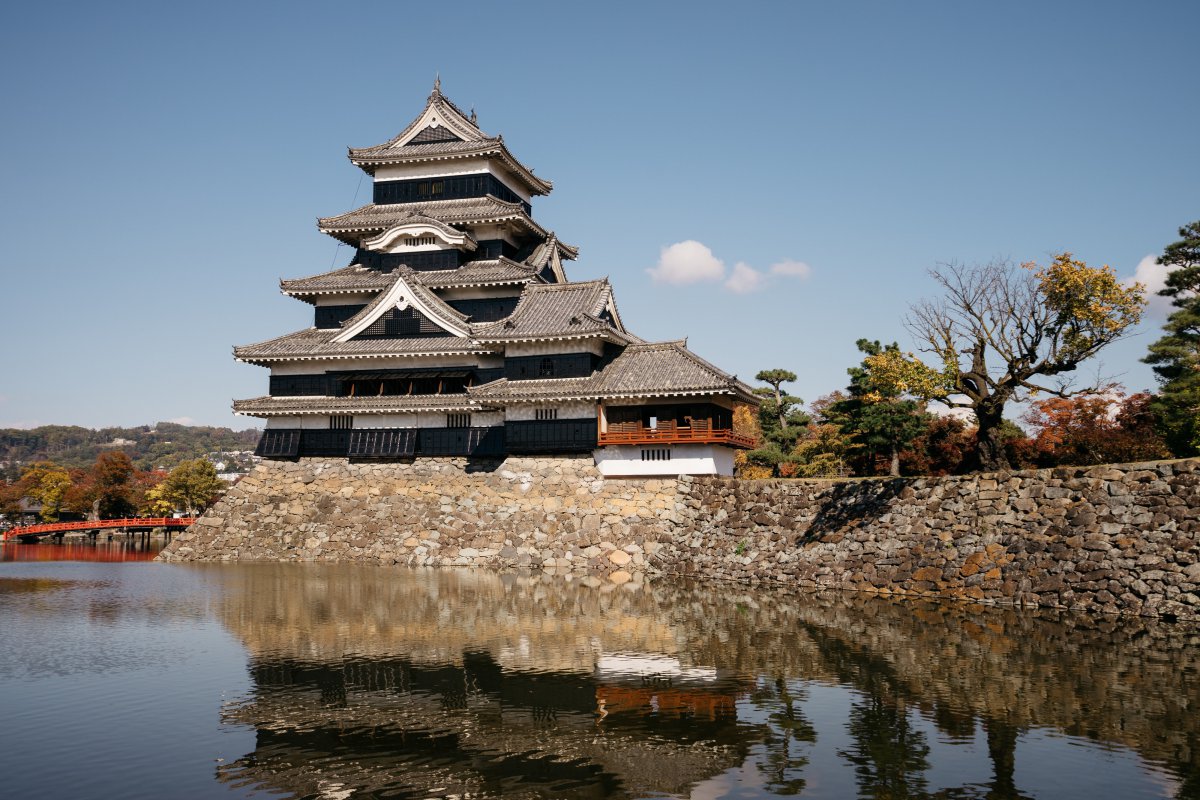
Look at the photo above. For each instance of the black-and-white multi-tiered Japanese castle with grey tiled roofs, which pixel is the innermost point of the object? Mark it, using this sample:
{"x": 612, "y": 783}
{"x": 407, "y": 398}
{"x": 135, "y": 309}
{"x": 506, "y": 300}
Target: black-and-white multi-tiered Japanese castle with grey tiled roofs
{"x": 455, "y": 332}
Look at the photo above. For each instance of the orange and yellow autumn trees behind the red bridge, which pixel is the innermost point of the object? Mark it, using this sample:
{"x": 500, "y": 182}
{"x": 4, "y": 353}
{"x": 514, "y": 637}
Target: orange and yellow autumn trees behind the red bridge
{"x": 111, "y": 489}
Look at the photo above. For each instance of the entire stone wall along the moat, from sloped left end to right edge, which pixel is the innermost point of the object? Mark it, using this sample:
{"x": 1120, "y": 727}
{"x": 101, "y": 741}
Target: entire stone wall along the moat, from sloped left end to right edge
{"x": 1119, "y": 539}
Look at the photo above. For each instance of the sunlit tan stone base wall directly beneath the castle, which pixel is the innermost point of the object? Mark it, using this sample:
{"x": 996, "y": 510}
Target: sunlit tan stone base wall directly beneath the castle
{"x": 525, "y": 513}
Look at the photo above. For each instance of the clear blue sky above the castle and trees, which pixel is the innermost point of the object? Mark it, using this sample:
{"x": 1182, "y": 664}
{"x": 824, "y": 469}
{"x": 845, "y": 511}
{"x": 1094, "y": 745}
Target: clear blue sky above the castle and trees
{"x": 163, "y": 166}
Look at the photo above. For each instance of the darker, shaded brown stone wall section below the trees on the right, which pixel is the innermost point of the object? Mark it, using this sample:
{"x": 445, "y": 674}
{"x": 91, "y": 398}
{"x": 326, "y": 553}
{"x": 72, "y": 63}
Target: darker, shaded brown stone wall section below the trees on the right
{"x": 1121, "y": 539}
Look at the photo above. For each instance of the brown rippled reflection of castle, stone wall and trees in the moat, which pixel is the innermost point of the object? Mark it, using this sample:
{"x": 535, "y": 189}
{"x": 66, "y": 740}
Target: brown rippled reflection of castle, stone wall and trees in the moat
{"x": 418, "y": 684}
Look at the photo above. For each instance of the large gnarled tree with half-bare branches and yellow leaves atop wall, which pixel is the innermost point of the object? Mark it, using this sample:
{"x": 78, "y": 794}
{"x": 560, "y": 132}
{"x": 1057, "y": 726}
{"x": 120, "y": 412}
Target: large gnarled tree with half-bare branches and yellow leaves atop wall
{"x": 1004, "y": 334}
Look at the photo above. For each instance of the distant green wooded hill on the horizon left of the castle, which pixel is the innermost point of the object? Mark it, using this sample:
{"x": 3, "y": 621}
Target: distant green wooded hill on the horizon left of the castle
{"x": 163, "y": 446}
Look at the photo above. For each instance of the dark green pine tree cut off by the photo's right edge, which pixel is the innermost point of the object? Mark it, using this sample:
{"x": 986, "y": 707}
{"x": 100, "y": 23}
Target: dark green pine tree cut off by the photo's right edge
{"x": 1177, "y": 356}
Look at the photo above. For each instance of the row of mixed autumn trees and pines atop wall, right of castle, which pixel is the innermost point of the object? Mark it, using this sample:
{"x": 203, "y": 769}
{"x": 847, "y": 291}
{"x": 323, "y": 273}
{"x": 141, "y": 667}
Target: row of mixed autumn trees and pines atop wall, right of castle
{"x": 1000, "y": 335}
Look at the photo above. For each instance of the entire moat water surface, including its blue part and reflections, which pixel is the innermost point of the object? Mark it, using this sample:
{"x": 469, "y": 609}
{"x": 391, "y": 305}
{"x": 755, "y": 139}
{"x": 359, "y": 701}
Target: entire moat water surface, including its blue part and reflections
{"x": 122, "y": 678}
